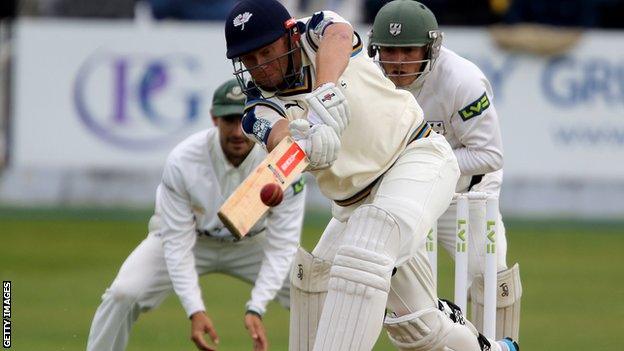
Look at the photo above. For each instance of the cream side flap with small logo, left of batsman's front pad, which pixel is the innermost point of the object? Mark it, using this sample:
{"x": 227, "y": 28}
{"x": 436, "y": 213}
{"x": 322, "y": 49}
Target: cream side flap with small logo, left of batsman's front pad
{"x": 309, "y": 277}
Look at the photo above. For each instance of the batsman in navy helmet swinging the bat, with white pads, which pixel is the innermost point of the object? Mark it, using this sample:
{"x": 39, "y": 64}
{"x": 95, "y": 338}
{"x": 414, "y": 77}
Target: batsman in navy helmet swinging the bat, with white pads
{"x": 372, "y": 153}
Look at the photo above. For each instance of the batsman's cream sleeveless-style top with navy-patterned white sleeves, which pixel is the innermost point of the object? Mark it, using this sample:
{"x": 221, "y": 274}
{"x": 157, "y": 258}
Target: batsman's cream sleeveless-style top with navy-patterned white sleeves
{"x": 383, "y": 119}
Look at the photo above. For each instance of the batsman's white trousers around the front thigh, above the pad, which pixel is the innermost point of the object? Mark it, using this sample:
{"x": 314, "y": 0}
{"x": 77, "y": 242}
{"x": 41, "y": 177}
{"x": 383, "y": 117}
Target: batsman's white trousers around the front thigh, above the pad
{"x": 416, "y": 190}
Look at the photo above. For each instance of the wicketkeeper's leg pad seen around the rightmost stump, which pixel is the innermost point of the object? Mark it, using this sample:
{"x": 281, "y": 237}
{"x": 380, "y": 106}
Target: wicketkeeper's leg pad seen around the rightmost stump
{"x": 508, "y": 296}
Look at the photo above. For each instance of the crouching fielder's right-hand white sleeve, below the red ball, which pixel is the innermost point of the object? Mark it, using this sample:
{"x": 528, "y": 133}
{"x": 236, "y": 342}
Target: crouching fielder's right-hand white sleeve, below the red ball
{"x": 283, "y": 232}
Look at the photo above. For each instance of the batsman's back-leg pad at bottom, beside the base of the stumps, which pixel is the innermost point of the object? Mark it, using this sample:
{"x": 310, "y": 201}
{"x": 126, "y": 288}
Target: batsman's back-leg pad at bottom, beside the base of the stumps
{"x": 429, "y": 330}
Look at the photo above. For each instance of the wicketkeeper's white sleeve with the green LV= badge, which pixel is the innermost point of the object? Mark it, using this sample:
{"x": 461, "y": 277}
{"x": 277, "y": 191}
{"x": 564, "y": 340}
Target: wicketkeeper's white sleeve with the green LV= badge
{"x": 476, "y": 126}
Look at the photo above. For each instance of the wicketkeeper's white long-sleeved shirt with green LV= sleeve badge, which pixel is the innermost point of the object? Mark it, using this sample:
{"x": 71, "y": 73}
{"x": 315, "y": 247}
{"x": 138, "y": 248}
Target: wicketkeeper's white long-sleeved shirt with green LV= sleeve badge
{"x": 457, "y": 101}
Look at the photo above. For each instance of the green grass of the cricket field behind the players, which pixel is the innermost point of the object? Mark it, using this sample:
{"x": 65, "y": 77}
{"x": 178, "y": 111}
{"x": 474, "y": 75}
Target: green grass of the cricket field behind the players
{"x": 61, "y": 261}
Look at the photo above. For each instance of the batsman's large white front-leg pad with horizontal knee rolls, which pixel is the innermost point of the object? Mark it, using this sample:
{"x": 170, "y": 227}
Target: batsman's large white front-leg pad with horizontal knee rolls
{"x": 359, "y": 283}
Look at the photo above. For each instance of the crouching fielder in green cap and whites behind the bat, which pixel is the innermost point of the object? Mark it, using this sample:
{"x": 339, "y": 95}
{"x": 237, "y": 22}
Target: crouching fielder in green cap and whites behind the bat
{"x": 186, "y": 239}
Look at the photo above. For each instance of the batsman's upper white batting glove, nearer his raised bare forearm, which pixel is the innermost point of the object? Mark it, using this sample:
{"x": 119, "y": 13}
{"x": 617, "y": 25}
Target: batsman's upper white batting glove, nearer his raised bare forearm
{"x": 329, "y": 106}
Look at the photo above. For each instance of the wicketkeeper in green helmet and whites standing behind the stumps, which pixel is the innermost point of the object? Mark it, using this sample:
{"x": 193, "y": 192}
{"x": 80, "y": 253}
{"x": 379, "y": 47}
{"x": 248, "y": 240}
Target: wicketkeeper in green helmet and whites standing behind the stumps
{"x": 456, "y": 98}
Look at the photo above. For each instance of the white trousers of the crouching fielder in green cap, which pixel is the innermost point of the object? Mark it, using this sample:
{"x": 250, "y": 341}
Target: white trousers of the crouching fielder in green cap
{"x": 143, "y": 283}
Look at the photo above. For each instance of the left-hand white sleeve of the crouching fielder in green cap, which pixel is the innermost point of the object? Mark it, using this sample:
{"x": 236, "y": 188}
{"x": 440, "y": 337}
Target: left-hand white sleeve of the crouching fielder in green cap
{"x": 178, "y": 237}
